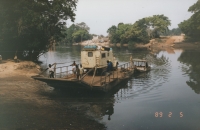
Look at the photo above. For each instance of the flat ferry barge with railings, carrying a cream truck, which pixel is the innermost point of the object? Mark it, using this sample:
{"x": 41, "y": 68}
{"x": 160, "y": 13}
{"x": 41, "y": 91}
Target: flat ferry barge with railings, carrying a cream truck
{"x": 94, "y": 62}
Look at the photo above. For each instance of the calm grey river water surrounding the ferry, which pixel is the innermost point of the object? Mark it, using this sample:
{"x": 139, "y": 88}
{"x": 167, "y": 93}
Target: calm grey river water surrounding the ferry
{"x": 167, "y": 97}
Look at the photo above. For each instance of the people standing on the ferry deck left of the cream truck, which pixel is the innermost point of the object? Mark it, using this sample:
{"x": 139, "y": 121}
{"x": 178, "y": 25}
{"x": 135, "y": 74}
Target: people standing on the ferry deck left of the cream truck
{"x": 77, "y": 72}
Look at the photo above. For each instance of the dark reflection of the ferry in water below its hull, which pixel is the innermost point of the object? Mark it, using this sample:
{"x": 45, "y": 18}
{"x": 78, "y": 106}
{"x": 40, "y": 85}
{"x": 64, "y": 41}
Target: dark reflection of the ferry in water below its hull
{"x": 94, "y": 104}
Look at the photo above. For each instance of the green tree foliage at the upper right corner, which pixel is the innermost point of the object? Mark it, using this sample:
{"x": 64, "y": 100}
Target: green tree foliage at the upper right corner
{"x": 191, "y": 27}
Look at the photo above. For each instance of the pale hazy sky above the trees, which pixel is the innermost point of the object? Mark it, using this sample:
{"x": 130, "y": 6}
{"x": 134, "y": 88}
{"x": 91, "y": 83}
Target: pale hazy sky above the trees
{"x": 99, "y": 15}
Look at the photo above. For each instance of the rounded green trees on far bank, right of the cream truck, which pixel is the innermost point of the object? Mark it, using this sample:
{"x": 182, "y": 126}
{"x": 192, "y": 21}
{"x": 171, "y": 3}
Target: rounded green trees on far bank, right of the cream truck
{"x": 141, "y": 31}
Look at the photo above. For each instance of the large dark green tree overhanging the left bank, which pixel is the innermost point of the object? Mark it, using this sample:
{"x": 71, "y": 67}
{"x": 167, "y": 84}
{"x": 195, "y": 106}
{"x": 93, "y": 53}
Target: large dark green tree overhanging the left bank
{"x": 28, "y": 27}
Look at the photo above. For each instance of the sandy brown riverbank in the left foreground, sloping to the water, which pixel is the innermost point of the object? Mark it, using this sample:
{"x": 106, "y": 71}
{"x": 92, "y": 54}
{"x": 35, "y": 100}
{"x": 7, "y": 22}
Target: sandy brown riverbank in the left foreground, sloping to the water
{"x": 26, "y": 103}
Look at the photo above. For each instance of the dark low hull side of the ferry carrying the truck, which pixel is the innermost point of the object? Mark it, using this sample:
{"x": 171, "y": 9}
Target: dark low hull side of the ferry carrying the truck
{"x": 79, "y": 84}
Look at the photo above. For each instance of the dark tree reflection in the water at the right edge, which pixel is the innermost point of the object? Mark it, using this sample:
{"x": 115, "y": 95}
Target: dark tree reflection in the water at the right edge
{"x": 192, "y": 68}
